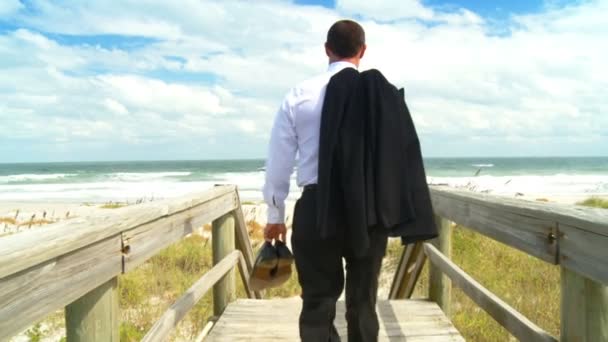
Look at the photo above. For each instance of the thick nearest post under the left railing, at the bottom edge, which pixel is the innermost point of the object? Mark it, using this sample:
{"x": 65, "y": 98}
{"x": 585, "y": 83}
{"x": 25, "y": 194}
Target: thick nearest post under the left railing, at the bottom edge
{"x": 94, "y": 316}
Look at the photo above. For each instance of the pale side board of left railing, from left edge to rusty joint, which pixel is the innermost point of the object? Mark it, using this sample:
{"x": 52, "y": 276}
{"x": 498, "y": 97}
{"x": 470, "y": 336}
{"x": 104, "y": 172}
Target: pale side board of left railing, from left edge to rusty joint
{"x": 32, "y": 294}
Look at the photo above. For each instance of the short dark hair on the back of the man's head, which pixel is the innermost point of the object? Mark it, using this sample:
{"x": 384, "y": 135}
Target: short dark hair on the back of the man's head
{"x": 345, "y": 38}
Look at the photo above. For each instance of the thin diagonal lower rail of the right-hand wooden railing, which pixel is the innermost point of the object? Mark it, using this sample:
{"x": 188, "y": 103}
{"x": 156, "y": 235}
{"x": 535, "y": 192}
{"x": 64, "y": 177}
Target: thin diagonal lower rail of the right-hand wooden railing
{"x": 503, "y": 313}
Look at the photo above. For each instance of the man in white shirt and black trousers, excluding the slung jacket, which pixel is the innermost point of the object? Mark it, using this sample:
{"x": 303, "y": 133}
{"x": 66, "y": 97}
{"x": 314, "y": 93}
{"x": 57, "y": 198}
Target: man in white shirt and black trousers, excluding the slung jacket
{"x": 319, "y": 260}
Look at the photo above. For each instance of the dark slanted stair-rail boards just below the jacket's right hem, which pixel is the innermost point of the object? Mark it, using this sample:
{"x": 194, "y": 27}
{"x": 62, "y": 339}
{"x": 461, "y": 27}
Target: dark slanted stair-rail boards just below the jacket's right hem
{"x": 407, "y": 272}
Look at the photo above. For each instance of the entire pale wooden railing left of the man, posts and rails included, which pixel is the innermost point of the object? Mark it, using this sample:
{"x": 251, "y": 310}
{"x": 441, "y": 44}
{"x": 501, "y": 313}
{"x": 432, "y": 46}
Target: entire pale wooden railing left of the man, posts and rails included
{"x": 75, "y": 264}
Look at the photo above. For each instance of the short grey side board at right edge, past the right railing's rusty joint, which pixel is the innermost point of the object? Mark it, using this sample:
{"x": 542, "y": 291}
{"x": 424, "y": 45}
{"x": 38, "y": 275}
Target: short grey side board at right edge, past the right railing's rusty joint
{"x": 584, "y": 252}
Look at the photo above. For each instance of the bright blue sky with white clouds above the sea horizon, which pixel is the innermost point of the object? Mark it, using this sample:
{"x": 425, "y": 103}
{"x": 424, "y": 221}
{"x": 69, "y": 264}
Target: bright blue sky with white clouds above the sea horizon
{"x": 198, "y": 79}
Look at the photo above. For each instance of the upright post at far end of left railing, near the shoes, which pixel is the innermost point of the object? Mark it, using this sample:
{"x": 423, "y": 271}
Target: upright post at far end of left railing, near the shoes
{"x": 222, "y": 238}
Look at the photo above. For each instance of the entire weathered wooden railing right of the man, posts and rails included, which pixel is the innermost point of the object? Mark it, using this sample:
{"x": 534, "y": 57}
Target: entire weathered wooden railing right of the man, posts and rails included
{"x": 575, "y": 238}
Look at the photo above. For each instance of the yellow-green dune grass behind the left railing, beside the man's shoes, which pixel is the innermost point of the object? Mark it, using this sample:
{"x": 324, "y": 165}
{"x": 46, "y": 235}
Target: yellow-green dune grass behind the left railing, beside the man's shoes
{"x": 147, "y": 291}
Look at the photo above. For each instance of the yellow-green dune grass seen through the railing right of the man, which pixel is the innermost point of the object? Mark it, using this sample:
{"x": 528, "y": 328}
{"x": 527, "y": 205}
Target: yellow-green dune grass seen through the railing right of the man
{"x": 529, "y": 285}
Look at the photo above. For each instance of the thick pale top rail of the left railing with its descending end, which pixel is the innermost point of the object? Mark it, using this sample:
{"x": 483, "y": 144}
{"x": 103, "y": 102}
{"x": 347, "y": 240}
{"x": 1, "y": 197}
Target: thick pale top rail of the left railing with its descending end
{"x": 56, "y": 266}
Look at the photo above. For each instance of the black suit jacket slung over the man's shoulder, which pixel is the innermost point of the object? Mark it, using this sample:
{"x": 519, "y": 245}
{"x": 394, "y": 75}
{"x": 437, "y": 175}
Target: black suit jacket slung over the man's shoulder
{"x": 371, "y": 173}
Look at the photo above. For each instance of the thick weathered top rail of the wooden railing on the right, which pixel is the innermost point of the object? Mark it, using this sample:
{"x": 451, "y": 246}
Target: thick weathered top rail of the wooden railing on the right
{"x": 572, "y": 236}
